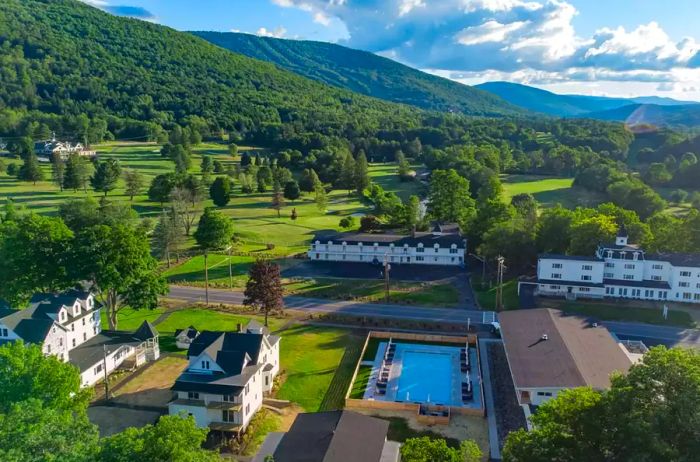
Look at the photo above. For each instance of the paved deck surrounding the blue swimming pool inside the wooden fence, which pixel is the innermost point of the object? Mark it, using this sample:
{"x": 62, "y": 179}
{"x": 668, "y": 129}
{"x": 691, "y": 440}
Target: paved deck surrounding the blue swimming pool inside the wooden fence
{"x": 457, "y": 377}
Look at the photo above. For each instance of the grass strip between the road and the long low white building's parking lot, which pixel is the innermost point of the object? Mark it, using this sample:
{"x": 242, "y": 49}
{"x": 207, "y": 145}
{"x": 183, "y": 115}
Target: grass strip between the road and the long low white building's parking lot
{"x": 372, "y": 290}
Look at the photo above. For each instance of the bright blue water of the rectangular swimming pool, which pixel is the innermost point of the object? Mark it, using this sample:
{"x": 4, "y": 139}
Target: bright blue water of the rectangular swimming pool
{"x": 425, "y": 376}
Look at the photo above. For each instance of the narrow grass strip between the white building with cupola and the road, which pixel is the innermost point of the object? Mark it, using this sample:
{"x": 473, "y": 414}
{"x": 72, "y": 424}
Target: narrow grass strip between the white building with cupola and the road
{"x": 613, "y": 312}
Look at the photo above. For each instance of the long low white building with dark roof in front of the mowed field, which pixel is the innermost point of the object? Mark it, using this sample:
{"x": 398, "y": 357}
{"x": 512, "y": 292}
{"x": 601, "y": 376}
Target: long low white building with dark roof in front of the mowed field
{"x": 443, "y": 245}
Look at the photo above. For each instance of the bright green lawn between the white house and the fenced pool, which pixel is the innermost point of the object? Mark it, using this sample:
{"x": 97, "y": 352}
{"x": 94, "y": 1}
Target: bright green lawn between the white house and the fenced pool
{"x": 318, "y": 363}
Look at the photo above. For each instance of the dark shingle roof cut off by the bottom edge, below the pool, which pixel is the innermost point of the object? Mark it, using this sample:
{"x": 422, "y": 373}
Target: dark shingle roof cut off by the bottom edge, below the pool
{"x": 335, "y": 436}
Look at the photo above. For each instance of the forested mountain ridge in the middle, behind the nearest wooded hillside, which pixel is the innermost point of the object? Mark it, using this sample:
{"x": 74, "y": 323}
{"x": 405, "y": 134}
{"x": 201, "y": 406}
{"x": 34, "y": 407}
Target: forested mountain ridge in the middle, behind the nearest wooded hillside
{"x": 365, "y": 73}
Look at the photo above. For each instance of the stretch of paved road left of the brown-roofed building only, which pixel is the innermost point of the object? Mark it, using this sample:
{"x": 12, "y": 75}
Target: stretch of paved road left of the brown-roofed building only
{"x": 195, "y": 294}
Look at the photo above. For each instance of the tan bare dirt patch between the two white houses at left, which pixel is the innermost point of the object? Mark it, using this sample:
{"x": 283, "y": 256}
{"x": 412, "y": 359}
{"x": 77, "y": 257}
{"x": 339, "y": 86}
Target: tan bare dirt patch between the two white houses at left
{"x": 151, "y": 387}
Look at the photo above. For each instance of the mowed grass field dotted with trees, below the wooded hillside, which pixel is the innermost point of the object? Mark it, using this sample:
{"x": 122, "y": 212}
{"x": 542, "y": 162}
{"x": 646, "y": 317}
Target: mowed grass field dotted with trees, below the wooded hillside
{"x": 256, "y": 224}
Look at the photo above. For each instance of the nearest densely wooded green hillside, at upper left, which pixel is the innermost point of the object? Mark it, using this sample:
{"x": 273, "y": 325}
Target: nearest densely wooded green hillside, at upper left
{"x": 67, "y": 63}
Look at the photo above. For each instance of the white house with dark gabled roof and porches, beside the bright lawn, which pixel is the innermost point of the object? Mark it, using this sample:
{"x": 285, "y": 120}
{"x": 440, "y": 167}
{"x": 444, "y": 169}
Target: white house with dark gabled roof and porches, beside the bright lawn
{"x": 227, "y": 375}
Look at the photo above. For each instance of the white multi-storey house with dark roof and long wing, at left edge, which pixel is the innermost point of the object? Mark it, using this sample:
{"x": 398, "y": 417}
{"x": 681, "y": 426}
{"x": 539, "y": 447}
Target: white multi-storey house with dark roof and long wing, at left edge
{"x": 68, "y": 325}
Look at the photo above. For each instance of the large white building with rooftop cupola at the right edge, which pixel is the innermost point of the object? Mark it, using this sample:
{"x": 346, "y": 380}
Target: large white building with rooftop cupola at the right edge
{"x": 620, "y": 270}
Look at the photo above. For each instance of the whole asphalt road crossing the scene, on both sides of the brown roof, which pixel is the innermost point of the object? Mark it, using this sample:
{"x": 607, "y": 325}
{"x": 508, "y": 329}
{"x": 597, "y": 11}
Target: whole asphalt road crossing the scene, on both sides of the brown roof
{"x": 649, "y": 334}
